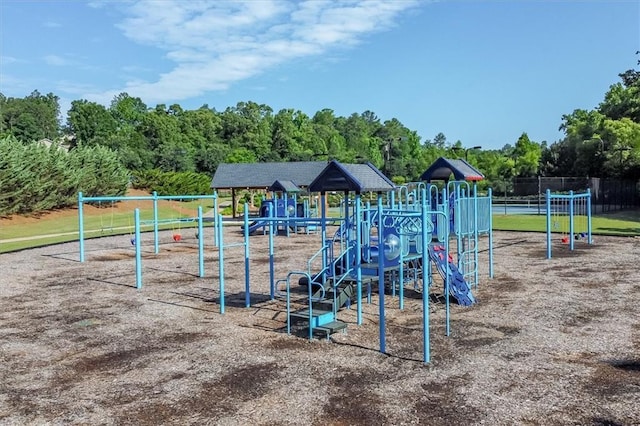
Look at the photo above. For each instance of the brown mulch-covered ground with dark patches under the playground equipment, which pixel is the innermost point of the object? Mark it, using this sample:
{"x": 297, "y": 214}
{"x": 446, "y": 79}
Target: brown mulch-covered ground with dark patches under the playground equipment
{"x": 550, "y": 341}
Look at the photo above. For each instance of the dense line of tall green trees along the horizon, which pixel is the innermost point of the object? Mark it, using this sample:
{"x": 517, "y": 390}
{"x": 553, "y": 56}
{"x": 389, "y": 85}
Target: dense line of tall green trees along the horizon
{"x": 602, "y": 142}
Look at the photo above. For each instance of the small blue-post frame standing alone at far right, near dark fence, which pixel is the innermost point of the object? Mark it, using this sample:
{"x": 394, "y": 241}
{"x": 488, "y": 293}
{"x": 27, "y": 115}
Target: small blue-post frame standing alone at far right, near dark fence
{"x": 570, "y": 216}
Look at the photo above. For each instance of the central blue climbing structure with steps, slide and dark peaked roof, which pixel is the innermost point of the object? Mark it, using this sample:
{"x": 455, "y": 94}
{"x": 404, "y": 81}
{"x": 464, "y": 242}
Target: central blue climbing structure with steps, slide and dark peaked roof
{"x": 391, "y": 244}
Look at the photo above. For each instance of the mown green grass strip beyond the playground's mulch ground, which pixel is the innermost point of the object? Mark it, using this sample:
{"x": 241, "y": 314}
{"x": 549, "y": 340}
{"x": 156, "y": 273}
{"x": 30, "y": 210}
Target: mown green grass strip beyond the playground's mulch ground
{"x": 20, "y": 233}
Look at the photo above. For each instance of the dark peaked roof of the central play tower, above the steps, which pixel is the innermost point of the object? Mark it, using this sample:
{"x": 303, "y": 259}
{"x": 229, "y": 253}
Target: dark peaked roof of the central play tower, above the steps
{"x": 350, "y": 177}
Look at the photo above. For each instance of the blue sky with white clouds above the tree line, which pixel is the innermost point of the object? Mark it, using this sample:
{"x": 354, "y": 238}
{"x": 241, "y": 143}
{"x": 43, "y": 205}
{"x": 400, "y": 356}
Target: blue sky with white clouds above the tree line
{"x": 481, "y": 72}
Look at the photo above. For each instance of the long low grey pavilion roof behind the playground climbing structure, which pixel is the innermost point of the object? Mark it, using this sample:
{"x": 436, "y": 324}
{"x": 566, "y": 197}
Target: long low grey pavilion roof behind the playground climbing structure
{"x": 263, "y": 175}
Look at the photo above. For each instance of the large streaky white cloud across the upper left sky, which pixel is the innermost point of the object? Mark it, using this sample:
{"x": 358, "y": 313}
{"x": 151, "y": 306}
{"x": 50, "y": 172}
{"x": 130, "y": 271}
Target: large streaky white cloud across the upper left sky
{"x": 215, "y": 44}
